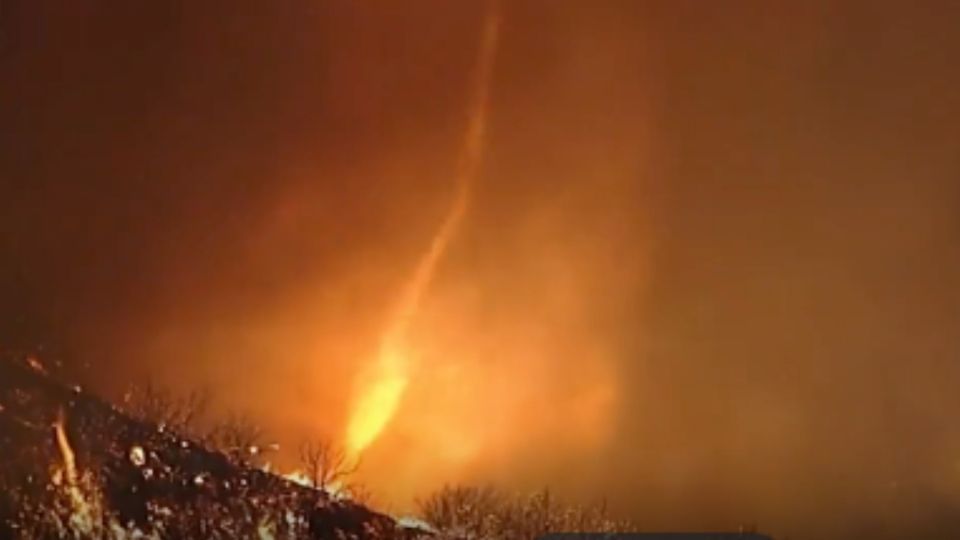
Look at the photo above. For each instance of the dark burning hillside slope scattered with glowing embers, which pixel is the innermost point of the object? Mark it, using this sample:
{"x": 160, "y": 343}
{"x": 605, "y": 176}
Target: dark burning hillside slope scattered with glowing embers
{"x": 103, "y": 474}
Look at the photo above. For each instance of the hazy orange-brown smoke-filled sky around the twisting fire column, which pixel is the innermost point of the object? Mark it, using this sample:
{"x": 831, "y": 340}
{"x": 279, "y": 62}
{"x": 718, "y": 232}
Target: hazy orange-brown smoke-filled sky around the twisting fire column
{"x": 751, "y": 208}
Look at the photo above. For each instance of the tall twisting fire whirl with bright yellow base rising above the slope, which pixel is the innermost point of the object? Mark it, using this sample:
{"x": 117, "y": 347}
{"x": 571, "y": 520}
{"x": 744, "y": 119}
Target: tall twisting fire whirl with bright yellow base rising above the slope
{"x": 382, "y": 386}
